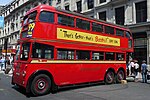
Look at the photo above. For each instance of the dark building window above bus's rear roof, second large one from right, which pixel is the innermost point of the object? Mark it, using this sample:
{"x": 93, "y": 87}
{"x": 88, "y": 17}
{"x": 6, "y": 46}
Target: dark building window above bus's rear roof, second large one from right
{"x": 119, "y": 15}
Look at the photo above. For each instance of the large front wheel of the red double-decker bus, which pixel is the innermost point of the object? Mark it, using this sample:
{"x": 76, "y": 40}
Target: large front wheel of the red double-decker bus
{"x": 41, "y": 85}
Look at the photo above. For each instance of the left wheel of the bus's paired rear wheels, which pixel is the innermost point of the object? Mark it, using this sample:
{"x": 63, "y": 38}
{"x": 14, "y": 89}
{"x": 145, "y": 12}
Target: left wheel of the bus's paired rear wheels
{"x": 109, "y": 77}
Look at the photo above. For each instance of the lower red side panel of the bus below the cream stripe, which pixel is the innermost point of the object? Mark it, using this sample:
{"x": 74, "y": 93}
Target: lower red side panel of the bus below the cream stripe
{"x": 65, "y": 74}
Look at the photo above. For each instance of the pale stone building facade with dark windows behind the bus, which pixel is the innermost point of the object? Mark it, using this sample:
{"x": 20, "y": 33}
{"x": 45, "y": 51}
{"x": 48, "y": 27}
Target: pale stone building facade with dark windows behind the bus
{"x": 134, "y": 14}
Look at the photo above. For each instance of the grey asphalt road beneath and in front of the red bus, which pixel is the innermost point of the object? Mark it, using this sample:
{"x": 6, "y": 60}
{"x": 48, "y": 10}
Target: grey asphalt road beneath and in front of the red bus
{"x": 129, "y": 91}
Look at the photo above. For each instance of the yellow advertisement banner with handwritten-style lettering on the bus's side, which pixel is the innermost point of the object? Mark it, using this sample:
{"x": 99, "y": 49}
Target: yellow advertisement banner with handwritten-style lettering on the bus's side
{"x": 86, "y": 37}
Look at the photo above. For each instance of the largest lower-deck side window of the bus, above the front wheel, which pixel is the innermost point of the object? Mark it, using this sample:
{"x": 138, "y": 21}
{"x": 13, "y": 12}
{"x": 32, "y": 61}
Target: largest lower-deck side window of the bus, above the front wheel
{"x": 46, "y": 52}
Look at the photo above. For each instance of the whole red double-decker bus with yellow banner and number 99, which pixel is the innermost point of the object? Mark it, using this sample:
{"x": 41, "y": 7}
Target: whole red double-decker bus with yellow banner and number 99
{"x": 58, "y": 48}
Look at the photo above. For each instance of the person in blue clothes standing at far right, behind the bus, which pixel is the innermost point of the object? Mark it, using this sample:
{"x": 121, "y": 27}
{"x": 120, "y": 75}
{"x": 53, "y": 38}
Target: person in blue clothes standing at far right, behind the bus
{"x": 144, "y": 71}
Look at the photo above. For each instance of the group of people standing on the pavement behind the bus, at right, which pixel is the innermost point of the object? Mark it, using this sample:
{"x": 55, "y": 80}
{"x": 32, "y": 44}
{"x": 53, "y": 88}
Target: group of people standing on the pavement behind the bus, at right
{"x": 135, "y": 70}
